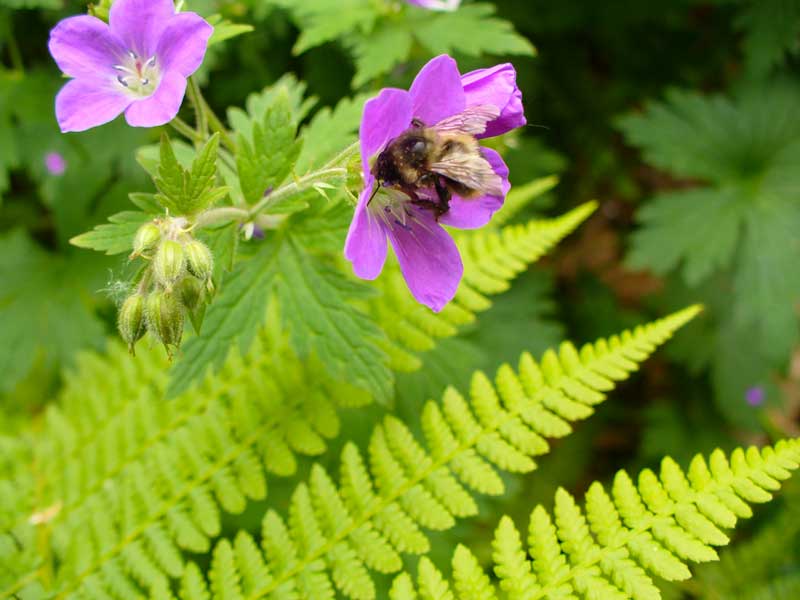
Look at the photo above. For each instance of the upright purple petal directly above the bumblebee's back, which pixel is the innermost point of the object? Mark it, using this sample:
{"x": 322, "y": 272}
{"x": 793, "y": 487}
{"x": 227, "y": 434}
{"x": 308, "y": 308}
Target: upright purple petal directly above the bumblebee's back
{"x": 437, "y": 92}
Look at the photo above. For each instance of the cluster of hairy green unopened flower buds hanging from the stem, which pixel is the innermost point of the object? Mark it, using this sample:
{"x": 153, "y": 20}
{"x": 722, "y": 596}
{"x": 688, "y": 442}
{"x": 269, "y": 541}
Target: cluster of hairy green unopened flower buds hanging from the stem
{"x": 176, "y": 283}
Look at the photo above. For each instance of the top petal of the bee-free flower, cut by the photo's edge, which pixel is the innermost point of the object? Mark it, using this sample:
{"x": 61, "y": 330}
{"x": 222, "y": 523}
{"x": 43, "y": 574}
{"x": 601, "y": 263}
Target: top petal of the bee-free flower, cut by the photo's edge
{"x": 139, "y": 23}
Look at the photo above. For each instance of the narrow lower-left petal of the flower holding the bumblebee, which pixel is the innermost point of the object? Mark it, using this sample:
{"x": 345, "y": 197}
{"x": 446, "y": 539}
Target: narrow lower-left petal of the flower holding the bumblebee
{"x": 365, "y": 246}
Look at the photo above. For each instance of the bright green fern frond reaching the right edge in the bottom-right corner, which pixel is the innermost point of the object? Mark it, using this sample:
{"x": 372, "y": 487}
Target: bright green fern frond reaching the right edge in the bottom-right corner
{"x": 612, "y": 548}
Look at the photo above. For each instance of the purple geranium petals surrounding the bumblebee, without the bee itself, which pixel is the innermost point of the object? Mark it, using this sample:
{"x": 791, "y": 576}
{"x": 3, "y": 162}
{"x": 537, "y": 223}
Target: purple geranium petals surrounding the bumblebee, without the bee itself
{"x": 428, "y": 257}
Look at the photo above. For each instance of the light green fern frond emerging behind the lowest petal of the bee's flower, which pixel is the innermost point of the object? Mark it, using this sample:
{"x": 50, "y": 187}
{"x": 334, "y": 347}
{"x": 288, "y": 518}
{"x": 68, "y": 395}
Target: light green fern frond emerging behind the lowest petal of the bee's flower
{"x": 492, "y": 259}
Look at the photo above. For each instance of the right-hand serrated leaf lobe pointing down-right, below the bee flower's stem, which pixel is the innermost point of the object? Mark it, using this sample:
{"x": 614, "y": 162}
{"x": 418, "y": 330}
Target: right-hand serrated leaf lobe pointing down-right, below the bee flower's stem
{"x": 320, "y": 319}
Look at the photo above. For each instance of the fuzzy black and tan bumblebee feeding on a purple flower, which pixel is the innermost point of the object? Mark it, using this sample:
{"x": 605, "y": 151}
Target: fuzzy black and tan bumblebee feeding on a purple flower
{"x": 431, "y": 164}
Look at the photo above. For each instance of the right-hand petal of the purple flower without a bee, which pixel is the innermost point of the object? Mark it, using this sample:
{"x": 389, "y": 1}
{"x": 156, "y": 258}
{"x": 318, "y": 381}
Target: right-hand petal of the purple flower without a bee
{"x": 183, "y": 43}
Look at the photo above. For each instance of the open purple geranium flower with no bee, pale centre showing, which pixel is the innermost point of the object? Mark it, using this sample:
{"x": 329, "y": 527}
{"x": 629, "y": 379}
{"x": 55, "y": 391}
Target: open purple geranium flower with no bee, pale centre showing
{"x": 138, "y": 64}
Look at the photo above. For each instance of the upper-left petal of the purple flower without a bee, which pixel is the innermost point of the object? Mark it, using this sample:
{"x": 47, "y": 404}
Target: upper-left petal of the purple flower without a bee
{"x": 84, "y": 46}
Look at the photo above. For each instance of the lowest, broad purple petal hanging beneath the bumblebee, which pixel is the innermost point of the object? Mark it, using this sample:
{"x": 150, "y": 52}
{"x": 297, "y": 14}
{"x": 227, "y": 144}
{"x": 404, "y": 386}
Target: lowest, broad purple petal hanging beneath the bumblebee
{"x": 428, "y": 258}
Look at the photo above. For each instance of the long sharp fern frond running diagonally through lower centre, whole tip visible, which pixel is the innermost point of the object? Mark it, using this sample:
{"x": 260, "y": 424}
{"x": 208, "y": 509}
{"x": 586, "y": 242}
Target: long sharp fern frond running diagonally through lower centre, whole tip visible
{"x": 335, "y": 536}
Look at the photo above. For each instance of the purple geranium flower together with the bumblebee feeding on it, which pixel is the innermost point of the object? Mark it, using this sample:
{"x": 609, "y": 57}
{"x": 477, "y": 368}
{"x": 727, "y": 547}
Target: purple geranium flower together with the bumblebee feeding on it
{"x": 462, "y": 186}
